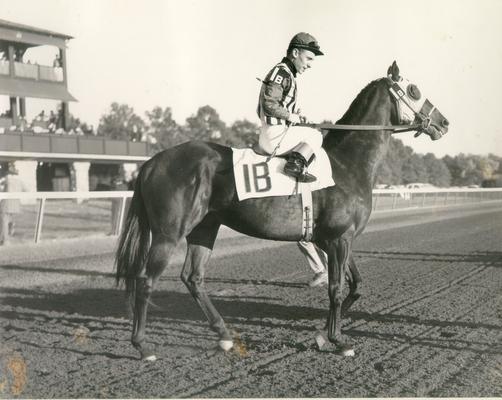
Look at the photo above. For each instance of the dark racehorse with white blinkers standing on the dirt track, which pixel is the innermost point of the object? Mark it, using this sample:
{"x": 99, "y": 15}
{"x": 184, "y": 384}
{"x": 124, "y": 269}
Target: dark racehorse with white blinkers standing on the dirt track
{"x": 188, "y": 191}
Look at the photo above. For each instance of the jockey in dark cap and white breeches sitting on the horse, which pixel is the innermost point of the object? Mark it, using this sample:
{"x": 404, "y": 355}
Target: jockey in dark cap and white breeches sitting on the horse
{"x": 279, "y": 112}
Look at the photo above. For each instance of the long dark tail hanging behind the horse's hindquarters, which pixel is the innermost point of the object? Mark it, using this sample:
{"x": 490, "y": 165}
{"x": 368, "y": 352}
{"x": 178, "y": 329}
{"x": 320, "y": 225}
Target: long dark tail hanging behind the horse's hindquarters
{"x": 134, "y": 243}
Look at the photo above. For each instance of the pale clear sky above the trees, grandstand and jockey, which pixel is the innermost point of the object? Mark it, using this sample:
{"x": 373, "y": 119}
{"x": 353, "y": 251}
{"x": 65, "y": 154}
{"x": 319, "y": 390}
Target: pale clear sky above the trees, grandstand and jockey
{"x": 185, "y": 54}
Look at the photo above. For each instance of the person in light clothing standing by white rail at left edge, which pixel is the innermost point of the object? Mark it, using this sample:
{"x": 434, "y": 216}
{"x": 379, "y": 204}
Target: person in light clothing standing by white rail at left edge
{"x": 10, "y": 207}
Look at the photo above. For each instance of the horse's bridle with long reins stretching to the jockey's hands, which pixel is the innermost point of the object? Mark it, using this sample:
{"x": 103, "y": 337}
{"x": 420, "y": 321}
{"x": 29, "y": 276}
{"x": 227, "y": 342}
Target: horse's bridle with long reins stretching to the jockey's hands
{"x": 400, "y": 97}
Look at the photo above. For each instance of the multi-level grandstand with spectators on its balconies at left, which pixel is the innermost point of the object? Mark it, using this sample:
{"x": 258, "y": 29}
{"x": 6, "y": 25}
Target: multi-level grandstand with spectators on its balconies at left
{"x": 47, "y": 161}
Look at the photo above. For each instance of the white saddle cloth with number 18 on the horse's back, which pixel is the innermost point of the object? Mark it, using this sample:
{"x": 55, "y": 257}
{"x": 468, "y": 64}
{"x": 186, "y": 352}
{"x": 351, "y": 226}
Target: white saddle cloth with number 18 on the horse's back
{"x": 255, "y": 177}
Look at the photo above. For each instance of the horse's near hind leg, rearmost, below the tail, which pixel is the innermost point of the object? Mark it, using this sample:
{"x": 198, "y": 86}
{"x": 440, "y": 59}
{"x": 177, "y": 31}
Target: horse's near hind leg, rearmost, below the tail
{"x": 158, "y": 258}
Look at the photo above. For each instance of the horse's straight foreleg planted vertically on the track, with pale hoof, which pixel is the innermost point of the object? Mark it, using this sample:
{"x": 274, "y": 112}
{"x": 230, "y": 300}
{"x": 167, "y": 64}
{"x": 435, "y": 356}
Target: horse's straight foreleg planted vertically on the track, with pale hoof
{"x": 338, "y": 255}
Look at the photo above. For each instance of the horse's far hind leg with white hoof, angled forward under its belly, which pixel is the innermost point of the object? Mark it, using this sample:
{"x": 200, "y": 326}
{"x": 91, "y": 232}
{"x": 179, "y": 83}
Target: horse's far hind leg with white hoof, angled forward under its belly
{"x": 200, "y": 246}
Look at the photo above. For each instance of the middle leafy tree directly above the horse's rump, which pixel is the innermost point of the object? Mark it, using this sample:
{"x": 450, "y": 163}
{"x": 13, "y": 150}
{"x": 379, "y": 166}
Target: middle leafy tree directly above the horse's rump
{"x": 163, "y": 130}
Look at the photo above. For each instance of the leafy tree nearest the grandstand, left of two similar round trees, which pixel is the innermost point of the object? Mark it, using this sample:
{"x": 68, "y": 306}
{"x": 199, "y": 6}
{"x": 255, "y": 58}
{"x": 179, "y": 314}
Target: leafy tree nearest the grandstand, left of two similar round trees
{"x": 121, "y": 123}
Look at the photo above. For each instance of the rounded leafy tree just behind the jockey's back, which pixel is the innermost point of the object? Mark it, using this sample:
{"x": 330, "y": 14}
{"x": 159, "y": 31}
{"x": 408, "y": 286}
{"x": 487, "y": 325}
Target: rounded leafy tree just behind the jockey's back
{"x": 206, "y": 125}
